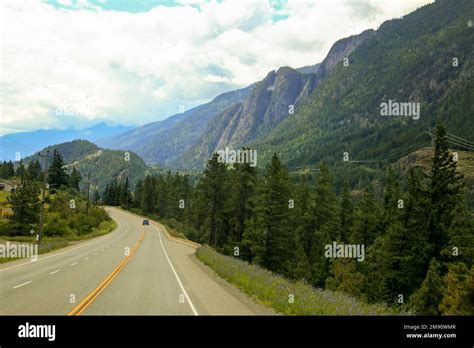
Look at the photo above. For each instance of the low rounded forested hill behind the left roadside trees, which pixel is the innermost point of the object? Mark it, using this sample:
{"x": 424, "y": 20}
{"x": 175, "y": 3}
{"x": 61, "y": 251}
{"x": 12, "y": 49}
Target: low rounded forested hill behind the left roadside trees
{"x": 104, "y": 165}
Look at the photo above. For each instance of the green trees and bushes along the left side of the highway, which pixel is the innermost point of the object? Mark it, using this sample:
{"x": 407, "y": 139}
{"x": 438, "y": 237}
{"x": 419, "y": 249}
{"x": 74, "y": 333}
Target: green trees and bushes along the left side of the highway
{"x": 68, "y": 216}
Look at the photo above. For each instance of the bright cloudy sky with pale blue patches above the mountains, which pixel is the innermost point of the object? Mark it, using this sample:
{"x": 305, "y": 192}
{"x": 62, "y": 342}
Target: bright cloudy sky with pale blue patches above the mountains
{"x": 75, "y": 63}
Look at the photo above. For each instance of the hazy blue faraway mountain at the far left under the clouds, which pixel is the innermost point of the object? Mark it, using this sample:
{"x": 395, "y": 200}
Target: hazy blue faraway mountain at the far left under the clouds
{"x": 27, "y": 143}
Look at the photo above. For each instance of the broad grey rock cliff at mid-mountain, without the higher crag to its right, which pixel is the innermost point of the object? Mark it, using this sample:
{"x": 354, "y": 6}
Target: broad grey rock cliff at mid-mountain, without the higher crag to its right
{"x": 270, "y": 102}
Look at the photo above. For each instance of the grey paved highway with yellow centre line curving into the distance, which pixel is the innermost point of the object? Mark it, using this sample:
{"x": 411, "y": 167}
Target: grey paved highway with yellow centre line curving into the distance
{"x": 134, "y": 270}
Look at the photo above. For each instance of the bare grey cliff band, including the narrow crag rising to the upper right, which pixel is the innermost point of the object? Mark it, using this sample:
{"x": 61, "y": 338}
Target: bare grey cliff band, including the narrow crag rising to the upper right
{"x": 272, "y": 100}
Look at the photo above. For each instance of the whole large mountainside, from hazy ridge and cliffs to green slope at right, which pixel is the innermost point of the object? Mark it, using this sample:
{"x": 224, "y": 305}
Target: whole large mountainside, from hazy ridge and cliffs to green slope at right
{"x": 320, "y": 111}
